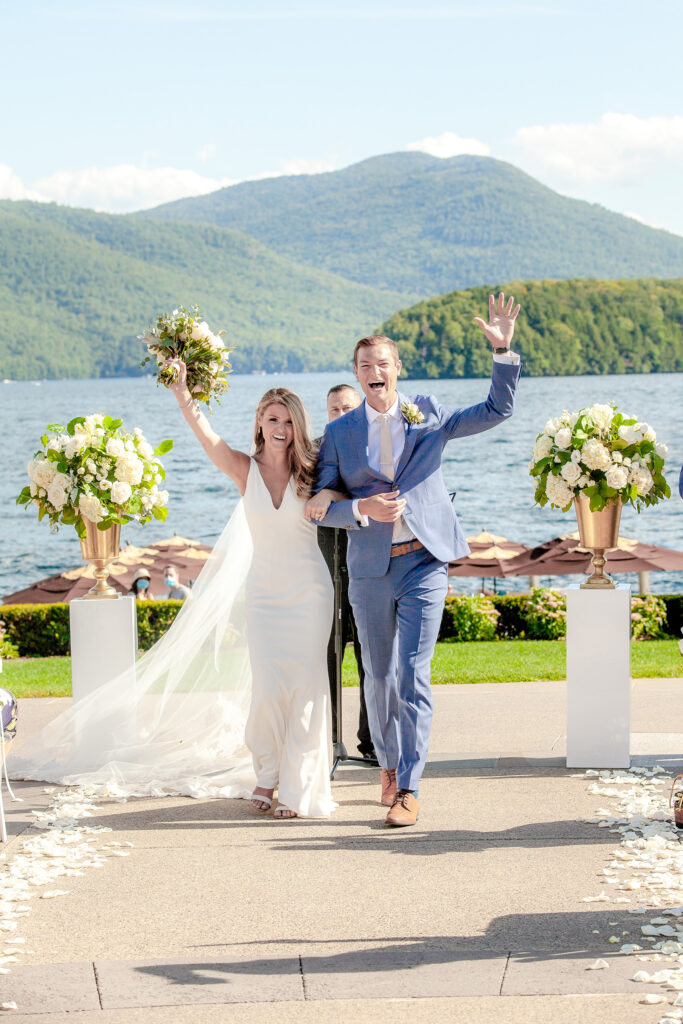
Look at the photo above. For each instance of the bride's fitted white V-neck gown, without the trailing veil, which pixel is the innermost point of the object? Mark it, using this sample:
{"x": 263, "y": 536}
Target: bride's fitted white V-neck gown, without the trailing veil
{"x": 289, "y": 618}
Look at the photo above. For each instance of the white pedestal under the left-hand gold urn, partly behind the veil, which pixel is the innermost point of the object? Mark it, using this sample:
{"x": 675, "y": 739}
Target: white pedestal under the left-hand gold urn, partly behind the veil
{"x": 104, "y": 645}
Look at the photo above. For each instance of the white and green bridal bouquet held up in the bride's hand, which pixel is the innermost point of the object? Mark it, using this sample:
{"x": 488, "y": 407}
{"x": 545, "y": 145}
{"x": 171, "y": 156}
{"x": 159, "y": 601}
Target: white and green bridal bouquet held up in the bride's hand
{"x": 184, "y": 335}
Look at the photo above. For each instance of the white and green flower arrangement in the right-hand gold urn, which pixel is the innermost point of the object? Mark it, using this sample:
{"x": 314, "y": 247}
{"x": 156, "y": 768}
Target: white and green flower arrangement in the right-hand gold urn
{"x": 602, "y": 454}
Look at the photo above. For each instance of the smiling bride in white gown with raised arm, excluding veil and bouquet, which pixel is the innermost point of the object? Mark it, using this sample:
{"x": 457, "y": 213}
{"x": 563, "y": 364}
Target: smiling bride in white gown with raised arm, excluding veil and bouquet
{"x": 289, "y": 600}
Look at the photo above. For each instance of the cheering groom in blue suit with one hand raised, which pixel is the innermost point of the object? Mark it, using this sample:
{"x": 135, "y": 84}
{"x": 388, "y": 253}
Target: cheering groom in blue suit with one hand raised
{"x": 387, "y": 455}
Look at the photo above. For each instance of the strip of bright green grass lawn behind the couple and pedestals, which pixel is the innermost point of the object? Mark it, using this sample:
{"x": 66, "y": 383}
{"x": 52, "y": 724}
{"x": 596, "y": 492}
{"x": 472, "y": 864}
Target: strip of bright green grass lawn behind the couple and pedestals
{"x": 495, "y": 662}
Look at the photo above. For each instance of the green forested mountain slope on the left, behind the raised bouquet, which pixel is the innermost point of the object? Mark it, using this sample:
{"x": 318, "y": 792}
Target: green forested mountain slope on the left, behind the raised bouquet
{"x": 78, "y": 287}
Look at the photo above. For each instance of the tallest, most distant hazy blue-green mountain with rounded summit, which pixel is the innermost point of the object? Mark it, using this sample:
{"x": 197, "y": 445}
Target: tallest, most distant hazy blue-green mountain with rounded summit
{"x": 417, "y": 224}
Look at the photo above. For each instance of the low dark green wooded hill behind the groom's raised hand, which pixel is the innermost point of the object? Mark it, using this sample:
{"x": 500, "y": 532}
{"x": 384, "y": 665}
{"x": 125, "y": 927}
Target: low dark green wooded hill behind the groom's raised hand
{"x": 565, "y": 328}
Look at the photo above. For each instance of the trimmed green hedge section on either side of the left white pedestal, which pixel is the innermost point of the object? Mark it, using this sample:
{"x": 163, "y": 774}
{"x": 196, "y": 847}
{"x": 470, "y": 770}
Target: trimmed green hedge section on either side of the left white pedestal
{"x": 42, "y": 630}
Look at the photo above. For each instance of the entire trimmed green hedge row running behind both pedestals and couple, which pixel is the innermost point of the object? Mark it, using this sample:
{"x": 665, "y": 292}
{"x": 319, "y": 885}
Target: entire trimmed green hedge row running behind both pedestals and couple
{"x": 42, "y": 630}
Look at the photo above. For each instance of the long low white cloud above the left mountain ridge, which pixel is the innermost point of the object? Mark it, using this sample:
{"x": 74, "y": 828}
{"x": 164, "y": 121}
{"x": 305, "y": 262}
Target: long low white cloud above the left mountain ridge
{"x": 126, "y": 188}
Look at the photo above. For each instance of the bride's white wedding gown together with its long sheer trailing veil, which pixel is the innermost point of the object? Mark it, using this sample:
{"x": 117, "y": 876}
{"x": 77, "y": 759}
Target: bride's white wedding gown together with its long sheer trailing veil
{"x": 181, "y": 721}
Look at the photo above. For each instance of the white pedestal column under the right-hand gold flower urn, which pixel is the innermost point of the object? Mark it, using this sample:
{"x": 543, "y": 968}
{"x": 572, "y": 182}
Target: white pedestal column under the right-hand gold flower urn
{"x": 599, "y": 677}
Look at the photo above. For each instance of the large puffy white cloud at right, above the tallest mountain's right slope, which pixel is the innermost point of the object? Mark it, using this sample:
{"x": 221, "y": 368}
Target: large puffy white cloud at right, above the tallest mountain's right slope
{"x": 618, "y": 149}
